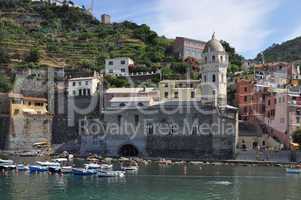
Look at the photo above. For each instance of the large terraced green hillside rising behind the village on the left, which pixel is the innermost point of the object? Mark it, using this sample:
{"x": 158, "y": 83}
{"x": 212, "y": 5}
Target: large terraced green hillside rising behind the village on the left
{"x": 67, "y": 36}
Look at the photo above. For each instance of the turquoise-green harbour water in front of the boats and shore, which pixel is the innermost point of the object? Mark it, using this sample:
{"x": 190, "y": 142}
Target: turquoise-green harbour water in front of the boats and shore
{"x": 157, "y": 183}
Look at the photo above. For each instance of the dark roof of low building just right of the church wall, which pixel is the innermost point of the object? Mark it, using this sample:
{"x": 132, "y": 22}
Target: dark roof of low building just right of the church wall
{"x": 249, "y": 129}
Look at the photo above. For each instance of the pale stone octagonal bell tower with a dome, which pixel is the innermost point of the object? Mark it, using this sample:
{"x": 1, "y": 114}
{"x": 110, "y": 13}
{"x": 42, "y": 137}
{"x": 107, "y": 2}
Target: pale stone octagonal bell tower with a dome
{"x": 214, "y": 72}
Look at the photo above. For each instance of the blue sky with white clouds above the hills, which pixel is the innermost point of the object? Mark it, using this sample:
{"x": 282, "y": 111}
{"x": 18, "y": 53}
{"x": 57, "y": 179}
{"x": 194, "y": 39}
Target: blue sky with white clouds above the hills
{"x": 248, "y": 25}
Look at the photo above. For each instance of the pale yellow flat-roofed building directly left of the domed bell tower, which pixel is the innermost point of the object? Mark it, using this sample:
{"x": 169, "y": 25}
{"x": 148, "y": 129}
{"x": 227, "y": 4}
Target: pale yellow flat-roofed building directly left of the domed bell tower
{"x": 182, "y": 90}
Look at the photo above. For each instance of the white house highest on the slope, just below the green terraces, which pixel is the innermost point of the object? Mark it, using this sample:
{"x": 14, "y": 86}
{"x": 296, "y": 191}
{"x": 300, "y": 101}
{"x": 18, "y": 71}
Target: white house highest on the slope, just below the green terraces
{"x": 118, "y": 66}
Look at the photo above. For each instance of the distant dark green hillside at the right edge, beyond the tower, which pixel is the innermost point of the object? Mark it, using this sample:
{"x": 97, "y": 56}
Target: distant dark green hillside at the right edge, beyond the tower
{"x": 287, "y": 51}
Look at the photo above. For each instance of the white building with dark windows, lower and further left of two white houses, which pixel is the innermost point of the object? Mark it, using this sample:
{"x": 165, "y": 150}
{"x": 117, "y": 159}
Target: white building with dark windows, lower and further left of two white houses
{"x": 84, "y": 86}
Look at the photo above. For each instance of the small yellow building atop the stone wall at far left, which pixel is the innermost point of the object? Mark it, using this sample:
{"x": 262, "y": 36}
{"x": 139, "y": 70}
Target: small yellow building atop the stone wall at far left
{"x": 20, "y": 104}
